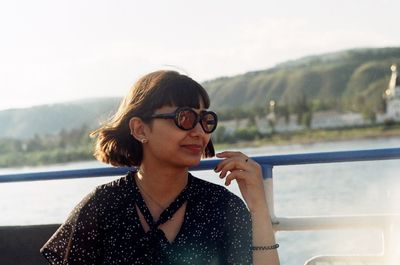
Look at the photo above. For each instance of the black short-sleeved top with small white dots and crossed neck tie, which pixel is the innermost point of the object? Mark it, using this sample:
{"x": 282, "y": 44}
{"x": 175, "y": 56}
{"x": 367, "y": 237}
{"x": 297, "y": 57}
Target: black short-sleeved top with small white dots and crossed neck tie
{"x": 104, "y": 228}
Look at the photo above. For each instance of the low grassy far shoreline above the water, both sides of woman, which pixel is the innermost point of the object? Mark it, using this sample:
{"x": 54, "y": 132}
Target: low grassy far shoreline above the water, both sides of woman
{"x": 57, "y": 156}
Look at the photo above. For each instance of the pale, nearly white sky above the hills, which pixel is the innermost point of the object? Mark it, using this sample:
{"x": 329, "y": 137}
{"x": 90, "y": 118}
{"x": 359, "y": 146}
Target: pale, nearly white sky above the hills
{"x": 57, "y": 51}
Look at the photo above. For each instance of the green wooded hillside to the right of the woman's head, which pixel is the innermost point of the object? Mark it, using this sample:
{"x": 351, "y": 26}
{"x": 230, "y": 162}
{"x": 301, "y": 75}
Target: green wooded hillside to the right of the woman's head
{"x": 344, "y": 80}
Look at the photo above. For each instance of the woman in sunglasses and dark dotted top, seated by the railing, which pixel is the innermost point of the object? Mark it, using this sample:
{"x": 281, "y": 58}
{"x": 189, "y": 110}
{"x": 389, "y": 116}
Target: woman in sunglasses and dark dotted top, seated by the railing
{"x": 159, "y": 213}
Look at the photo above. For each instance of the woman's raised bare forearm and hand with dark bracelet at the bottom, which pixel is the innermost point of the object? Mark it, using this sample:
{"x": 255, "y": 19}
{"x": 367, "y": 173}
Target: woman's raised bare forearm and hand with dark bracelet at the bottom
{"x": 248, "y": 175}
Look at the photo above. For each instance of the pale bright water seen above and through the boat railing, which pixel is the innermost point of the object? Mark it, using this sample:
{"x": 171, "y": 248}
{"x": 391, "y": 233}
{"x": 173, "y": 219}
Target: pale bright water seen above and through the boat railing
{"x": 306, "y": 190}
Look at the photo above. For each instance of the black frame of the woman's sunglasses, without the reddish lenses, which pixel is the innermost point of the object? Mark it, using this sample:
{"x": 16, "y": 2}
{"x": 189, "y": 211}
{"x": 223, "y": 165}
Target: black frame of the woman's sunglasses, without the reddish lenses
{"x": 198, "y": 118}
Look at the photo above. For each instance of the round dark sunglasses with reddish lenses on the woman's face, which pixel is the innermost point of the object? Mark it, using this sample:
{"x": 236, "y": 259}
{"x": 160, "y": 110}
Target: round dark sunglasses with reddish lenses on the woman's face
{"x": 186, "y": 119}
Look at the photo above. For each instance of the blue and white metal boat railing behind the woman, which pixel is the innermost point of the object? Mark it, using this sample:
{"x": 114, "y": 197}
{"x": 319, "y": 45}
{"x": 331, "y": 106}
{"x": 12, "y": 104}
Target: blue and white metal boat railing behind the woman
{"x": 381, "y": 222}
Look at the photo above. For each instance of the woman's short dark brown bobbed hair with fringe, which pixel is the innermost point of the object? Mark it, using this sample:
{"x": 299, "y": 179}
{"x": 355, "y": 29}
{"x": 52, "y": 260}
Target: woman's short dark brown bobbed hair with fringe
{"x": 114, "y": 143}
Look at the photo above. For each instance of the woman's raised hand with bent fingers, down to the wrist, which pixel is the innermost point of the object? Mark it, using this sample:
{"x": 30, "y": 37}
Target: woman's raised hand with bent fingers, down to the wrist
{"x": 248, "y": 175}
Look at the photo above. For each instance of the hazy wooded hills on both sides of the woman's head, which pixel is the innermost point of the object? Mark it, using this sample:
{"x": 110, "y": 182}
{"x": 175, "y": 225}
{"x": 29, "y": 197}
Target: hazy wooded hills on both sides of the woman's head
{"x": 346, "y": 80}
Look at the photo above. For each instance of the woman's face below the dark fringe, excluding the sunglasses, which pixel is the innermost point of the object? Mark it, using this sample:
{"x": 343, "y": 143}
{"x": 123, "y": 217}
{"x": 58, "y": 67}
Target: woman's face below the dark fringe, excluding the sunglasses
{"x": 170, "y": 145}
